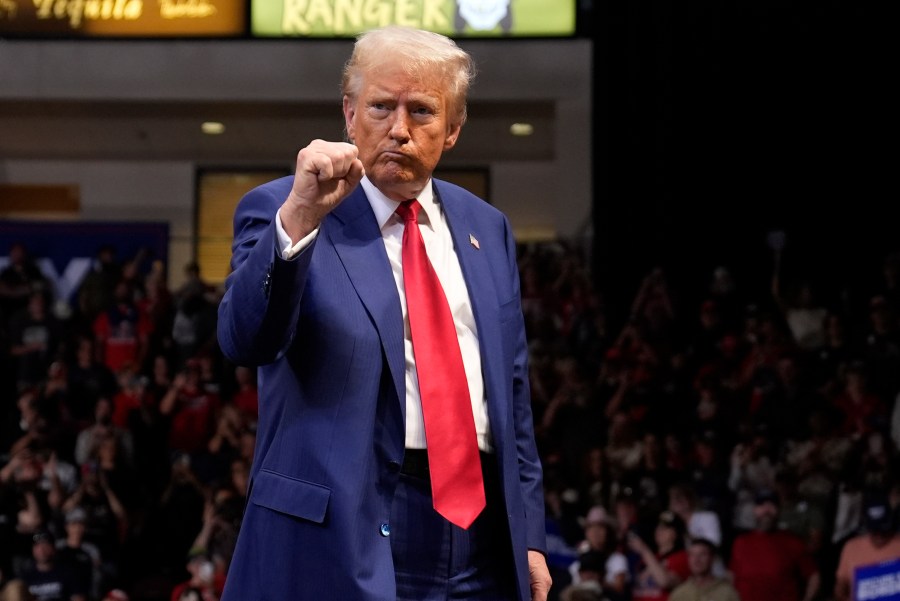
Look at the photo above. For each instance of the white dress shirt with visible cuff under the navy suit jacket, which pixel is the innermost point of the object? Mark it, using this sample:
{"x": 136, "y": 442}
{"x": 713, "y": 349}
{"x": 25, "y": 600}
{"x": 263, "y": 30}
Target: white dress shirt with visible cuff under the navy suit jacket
{"x": 439, "y": 247}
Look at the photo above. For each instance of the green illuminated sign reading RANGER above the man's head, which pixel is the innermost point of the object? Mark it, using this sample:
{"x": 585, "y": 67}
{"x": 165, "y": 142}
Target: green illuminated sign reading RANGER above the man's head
{"x": 457, "y": 18}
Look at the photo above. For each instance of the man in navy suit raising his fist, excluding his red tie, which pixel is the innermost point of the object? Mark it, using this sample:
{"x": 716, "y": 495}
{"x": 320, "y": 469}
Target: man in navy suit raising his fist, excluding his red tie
{"x": 340, "y": 500}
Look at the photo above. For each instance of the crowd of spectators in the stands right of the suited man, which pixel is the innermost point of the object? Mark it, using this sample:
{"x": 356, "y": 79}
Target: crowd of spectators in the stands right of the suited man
{"x": 757, "y": 426}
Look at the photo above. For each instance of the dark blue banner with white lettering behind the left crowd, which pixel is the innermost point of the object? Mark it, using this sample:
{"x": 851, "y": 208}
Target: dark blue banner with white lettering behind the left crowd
{"x": 65, "y": 251}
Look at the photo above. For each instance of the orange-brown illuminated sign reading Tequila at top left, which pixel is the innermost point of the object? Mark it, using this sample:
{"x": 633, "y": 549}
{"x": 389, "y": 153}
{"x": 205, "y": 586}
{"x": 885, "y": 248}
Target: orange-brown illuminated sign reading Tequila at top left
{"x": 123, "y": 18}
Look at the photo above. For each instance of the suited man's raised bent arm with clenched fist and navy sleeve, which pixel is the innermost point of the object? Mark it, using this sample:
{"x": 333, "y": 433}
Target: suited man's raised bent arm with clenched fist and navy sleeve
{"x": 258, "y": 314}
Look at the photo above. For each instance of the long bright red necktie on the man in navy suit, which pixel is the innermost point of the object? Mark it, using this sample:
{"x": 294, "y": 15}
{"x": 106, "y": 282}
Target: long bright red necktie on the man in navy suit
{"x": 454, "y": 464}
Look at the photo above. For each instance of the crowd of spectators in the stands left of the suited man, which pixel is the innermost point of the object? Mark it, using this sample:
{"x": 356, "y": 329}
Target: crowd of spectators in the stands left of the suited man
{"x": 126, "y": 441}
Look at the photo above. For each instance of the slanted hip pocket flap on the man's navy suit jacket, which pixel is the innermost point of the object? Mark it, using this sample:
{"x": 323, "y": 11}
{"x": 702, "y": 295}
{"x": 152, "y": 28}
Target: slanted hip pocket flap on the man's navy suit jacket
{"x": 291, "y": 496}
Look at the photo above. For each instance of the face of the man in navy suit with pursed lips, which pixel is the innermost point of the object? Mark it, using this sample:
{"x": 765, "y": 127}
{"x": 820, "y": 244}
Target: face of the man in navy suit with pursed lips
{"x": 401, "y": 126}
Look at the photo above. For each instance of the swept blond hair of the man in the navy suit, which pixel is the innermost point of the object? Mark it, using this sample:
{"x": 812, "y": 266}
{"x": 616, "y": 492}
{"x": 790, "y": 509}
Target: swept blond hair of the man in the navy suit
{"x": 419, "y": 53}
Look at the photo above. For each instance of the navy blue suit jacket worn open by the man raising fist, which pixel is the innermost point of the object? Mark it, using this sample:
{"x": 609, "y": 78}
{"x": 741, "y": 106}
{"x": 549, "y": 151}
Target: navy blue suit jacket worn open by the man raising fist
{"x": 326, "y": 332}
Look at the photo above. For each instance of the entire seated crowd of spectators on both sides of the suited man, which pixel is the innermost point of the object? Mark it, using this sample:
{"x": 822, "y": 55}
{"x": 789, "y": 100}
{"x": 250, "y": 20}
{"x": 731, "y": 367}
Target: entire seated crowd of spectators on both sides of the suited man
{"x": 742, "y": 444}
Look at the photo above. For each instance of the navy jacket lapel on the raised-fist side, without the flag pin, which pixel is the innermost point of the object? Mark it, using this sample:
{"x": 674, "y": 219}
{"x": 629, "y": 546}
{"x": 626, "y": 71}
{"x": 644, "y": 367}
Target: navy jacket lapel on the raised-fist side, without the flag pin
{"x": 357, "y": 241}
